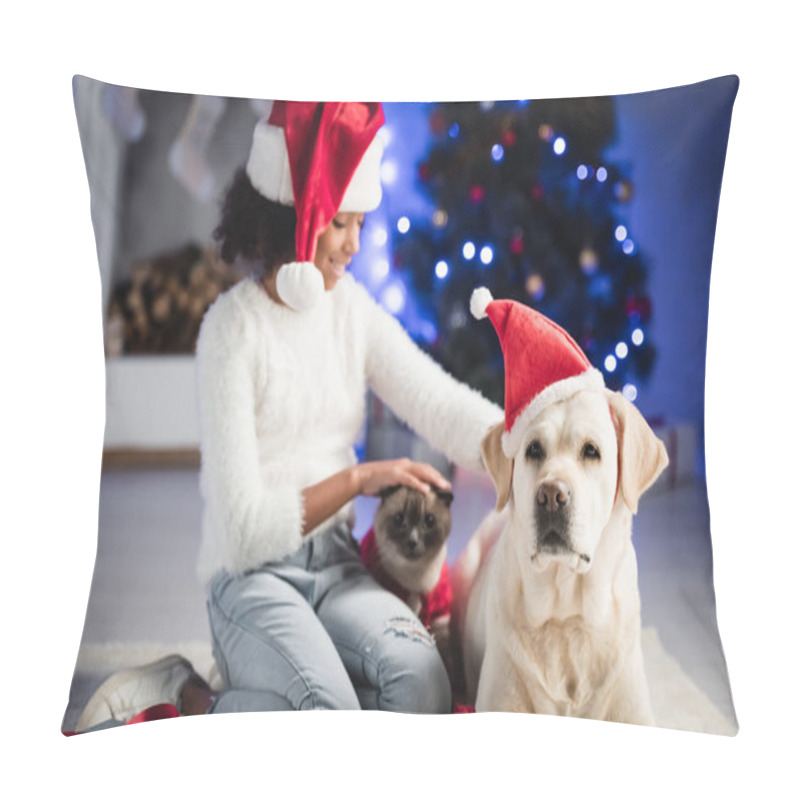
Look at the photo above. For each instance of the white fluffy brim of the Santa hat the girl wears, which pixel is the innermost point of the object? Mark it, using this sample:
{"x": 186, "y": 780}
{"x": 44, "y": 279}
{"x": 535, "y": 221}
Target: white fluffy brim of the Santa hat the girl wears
{"x": 269, "y": 171}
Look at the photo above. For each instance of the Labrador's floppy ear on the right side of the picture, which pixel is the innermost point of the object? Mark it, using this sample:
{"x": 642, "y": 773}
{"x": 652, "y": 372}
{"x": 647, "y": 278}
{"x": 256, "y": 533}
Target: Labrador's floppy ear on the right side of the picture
{"x": 642, "y": 455}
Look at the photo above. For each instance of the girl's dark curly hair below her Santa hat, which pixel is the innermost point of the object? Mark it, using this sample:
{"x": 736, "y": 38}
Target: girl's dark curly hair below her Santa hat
{"x": 255, "y": 228}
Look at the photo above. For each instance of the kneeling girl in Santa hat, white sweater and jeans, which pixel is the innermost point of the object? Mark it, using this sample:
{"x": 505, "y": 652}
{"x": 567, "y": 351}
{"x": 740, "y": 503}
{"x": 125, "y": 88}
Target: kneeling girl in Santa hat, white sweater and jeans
{"x": 284, "y": 361}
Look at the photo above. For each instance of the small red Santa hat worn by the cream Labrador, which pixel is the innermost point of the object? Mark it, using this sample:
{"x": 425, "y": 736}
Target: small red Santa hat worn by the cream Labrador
{"x": 543, "y": 363}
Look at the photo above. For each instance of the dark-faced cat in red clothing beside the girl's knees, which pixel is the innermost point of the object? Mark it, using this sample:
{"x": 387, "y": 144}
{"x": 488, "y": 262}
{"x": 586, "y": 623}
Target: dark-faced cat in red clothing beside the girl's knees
{"x": 406, "y": 552}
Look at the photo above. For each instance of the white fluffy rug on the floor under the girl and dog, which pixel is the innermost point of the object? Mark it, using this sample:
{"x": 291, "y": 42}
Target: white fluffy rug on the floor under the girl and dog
{"x": 677, "y": 702}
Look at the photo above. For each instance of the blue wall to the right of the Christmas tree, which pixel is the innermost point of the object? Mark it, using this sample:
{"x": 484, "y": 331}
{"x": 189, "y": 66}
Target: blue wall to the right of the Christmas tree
{"x": 675, "y": 141}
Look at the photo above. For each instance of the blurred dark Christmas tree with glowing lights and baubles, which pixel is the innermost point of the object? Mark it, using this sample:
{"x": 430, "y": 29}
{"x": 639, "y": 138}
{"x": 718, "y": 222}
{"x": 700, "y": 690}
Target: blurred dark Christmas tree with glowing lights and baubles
{"x": 526, "y": 205}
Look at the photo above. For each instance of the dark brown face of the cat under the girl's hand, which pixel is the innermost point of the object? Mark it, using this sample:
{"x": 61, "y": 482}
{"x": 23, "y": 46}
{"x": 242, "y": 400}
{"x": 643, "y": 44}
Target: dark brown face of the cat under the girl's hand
{"x": 414, "y": 524}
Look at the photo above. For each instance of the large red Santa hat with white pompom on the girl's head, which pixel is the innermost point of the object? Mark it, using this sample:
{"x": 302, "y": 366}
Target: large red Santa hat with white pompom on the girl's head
{"x": 322, "y": 158}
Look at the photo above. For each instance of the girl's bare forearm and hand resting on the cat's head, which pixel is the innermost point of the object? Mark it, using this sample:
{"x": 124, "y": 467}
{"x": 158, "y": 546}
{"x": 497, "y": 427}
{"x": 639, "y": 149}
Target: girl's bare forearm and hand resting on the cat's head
{"x": 324, "y": 499}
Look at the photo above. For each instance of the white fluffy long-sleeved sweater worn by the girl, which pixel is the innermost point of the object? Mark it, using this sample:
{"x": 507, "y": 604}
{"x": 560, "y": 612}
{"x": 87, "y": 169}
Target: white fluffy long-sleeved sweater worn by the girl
{"x": 282, "y": 400}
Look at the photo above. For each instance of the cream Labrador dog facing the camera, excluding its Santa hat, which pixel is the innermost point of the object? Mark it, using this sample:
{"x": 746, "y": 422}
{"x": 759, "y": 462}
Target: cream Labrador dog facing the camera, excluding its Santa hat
{"x": 546, "y": 590}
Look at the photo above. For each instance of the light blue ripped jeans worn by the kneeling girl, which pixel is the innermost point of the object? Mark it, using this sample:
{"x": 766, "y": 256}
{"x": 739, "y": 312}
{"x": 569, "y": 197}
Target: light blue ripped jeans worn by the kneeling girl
{"x": 315, "y": 631}
